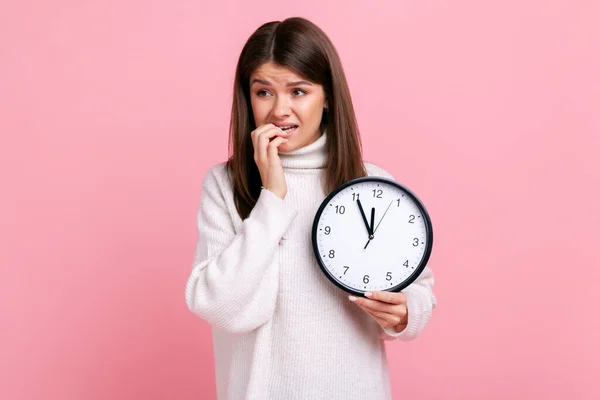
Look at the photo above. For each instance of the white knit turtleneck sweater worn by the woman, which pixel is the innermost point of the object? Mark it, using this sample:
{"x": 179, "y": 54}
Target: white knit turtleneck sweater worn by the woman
{"x": 281, "y": 329}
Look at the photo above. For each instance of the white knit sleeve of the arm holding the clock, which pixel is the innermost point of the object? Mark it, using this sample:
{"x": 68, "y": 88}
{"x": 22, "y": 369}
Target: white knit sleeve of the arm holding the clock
{"x": 420, "y": 299}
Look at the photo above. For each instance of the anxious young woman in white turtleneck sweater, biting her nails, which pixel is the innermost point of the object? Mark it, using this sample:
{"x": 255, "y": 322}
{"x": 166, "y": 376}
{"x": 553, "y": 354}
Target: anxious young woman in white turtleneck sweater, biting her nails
{"x": 281, "y": 329}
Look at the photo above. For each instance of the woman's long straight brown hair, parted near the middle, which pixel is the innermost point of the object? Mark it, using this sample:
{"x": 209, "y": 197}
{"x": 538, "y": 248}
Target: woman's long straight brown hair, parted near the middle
{"x": 304, "y": 48}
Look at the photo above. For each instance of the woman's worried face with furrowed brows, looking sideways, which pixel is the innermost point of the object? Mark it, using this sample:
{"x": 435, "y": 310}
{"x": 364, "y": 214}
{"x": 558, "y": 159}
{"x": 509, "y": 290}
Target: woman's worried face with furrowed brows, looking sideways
{"x": 281, "y": 97}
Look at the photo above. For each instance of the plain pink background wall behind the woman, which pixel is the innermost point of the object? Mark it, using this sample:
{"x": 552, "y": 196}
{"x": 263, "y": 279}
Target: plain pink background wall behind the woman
{"x": 111, "y": 112}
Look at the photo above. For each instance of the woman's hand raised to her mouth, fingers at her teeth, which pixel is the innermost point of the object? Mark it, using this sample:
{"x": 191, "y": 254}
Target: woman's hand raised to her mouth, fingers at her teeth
{"x": 267, "y": 158}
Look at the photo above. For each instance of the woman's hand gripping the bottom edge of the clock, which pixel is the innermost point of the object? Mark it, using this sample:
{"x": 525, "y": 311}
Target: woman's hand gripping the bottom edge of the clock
{"x": 387, "y": 308}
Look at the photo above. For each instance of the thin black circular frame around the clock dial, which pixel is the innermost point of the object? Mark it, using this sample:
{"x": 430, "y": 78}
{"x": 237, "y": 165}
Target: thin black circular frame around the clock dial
{"x": 420, "y": 205}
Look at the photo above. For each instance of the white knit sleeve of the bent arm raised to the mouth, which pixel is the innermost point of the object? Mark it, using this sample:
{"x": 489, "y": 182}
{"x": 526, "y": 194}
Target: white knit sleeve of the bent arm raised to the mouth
{"x": 234, "y": 280}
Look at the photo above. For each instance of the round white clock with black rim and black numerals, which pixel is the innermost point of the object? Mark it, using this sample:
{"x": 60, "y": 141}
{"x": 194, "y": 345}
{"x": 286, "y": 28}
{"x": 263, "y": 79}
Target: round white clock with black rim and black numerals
{"x": 372, "y": 233}
